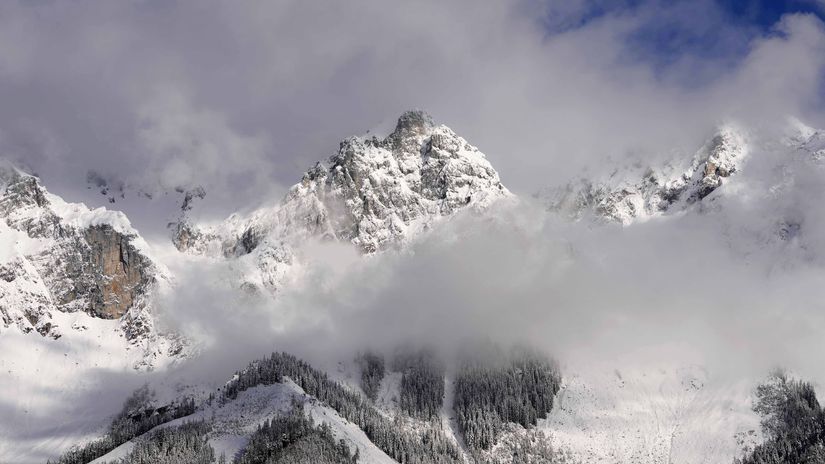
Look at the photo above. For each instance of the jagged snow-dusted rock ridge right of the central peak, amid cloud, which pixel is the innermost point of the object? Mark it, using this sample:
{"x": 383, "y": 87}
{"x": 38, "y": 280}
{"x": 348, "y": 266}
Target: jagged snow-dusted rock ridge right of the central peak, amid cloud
{"x": 623, "y": 199}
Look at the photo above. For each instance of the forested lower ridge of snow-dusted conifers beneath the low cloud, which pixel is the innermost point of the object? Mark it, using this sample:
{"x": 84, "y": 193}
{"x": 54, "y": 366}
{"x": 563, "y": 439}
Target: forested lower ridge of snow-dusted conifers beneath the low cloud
{"x": 494, "y": 389}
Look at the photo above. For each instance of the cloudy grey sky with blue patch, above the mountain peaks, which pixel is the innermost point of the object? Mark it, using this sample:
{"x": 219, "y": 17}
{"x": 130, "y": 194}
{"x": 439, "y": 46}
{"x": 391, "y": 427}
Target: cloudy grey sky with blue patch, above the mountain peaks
{"x": 241, "y": 99}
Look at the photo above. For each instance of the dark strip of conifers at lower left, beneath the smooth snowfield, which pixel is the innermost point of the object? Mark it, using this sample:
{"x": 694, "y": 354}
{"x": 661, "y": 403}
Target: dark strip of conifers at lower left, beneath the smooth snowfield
{"x": 137, "y": 417}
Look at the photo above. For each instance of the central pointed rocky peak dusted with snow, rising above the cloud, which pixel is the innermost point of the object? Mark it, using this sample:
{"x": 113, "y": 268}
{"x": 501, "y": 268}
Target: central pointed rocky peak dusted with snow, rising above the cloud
{"x": 374, "y": 193}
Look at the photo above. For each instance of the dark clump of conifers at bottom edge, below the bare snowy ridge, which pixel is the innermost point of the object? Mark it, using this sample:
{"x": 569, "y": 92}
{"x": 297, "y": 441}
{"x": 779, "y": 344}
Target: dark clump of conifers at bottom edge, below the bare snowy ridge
{"x": 294, "y": 439}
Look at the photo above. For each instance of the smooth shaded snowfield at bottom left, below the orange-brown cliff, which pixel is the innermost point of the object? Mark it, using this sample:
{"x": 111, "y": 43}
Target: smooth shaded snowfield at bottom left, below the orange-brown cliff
{"x": 52, "y": 395}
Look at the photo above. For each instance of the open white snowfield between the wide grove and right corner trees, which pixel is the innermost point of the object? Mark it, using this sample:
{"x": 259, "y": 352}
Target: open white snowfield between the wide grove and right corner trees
{"x": 652, "y": 415}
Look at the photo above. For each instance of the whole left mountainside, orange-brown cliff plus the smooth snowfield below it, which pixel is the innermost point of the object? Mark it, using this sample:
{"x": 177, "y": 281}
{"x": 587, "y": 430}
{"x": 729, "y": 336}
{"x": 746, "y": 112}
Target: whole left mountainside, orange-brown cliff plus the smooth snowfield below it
{"x": 76, "y": 303}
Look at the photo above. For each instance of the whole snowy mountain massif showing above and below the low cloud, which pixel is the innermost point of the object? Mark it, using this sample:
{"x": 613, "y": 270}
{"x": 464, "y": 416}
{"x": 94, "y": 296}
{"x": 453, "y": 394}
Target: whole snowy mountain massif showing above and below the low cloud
{"x": 84, "y": 282}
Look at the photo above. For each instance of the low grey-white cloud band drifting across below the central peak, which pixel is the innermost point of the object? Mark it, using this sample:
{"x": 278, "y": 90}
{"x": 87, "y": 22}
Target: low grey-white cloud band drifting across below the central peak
{"x": 683, "y": 289}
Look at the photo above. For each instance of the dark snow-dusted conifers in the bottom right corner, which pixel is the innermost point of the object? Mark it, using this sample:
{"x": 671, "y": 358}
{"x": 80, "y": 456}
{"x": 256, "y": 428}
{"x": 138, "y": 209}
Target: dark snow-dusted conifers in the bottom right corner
{"x": 794, "y": 422}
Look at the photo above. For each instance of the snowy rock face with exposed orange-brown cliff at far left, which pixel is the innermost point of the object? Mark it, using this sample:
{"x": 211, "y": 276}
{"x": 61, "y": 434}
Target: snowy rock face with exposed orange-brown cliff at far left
{"x": 65, "y": 257}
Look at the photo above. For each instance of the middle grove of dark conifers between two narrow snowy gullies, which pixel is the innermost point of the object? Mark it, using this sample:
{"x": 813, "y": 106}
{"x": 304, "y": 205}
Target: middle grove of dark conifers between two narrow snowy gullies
{"x": 422, "y": 382}
